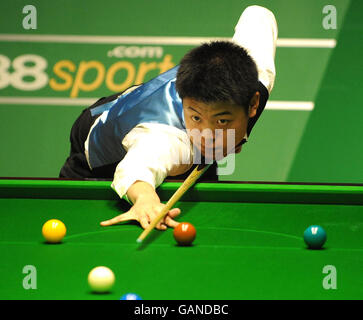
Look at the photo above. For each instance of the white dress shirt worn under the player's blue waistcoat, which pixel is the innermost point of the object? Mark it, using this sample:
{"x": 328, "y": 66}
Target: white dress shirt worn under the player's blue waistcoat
{"x": 155, "y": 151}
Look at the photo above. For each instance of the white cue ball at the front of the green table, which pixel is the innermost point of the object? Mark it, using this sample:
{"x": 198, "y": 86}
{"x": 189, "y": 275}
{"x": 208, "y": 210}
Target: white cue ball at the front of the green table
{"x": 101, "y": 279}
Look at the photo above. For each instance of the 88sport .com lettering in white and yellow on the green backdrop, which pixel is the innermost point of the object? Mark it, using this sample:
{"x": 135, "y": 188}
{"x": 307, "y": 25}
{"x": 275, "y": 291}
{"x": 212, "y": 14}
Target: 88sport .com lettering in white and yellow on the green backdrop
{"x": 114, "y": 71}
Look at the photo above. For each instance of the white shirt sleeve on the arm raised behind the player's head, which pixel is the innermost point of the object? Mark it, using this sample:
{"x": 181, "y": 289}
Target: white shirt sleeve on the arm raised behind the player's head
{"x": 256, "y": 31}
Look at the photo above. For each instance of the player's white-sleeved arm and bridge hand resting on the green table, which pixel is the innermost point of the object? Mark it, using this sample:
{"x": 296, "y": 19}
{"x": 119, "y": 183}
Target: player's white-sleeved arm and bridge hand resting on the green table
{"x": 152, "y": 155}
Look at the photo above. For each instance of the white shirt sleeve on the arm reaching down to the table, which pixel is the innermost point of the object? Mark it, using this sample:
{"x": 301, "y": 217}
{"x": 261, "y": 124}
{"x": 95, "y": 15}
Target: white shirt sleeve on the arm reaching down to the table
{"x": 154, "y": 151}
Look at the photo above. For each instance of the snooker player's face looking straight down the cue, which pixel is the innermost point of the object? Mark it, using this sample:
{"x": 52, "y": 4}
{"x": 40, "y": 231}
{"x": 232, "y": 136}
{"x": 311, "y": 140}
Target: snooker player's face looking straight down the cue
{"x": 218, "y": 115}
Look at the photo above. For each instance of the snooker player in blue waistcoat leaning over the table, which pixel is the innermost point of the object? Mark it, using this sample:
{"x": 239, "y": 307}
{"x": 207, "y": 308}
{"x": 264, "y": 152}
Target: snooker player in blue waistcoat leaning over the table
{"x": 141, "y": 136}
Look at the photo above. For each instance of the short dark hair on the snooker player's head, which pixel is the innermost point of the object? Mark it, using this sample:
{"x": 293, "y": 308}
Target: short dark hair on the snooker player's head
{"x": 218, "y": 71}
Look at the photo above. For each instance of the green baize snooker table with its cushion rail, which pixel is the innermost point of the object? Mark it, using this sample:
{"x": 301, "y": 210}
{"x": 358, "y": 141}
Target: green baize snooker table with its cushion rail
{"x": 249, "y": 242}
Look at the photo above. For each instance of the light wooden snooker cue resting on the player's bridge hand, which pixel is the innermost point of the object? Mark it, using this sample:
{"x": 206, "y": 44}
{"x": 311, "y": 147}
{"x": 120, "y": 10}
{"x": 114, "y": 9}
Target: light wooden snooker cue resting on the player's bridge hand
{"x": 189, "y": 181}
